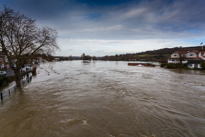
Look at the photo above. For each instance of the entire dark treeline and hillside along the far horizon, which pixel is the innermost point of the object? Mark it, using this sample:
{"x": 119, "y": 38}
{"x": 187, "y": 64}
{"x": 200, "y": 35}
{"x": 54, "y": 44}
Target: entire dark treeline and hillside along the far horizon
{"x": 161, "y": 55}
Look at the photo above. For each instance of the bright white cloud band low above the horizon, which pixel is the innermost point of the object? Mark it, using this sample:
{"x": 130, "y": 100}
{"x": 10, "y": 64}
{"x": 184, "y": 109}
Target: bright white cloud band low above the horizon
{"x": 111, "y": 47}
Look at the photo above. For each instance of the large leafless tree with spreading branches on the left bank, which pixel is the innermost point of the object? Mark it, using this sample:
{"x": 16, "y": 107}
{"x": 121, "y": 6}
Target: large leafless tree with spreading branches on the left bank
{"x": 20, "y": 38}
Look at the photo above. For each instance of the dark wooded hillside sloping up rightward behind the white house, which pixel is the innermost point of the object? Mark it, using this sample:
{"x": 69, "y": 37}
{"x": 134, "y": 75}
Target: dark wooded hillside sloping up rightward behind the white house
{"x": 153, "y": 55}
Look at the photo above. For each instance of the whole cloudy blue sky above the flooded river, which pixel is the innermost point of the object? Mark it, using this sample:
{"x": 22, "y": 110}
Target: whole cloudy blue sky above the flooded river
{"x": 109, "y": 27}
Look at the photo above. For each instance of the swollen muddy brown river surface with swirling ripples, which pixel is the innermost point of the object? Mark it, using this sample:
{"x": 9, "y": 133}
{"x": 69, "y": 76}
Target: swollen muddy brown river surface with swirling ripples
{"x": 106, "y": 99}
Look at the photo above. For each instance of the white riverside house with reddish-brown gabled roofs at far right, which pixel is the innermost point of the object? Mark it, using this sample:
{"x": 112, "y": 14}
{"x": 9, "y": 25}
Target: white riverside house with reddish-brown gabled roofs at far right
{"x": 193, "y": 59}
